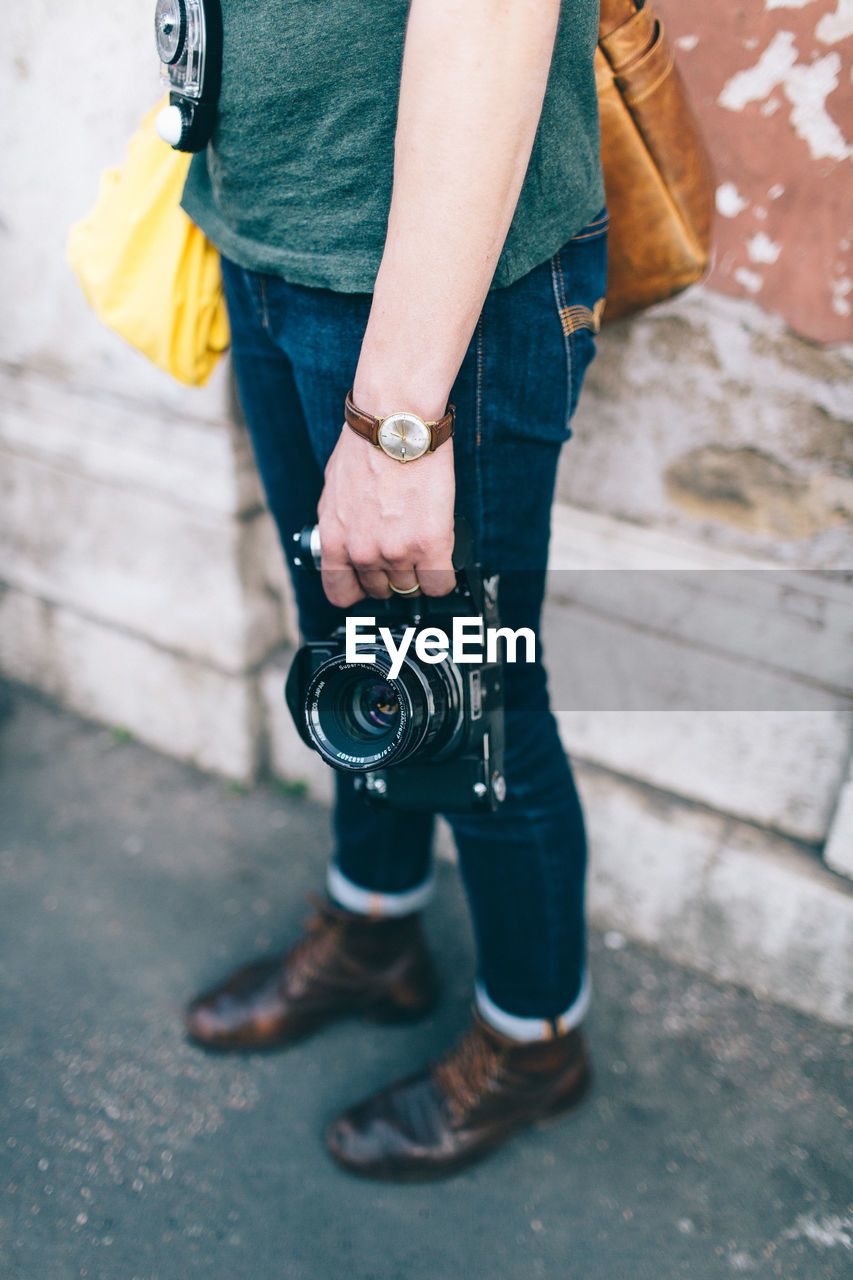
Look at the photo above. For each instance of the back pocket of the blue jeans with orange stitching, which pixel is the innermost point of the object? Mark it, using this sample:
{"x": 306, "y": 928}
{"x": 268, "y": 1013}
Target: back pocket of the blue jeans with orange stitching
{"x": 578, "y": 276}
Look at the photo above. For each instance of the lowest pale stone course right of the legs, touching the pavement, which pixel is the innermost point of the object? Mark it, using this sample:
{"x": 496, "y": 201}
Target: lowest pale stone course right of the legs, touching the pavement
{"x": 720, "y": 897}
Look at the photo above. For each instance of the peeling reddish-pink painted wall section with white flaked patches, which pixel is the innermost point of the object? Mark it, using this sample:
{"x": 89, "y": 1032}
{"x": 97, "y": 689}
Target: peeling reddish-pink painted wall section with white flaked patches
{"x": 773, "y": 85}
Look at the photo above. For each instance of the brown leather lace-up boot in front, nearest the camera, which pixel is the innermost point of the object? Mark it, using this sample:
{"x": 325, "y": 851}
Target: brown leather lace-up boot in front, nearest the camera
{"x": 462, "y": 1107}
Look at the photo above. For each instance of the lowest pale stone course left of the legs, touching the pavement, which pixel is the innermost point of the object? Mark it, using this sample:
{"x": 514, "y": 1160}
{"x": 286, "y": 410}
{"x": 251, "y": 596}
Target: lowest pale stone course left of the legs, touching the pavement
{"x": 172, "y": 703}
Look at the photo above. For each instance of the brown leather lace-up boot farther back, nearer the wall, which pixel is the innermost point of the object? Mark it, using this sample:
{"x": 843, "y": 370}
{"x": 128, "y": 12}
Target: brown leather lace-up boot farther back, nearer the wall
{"x": 346, "y": 964}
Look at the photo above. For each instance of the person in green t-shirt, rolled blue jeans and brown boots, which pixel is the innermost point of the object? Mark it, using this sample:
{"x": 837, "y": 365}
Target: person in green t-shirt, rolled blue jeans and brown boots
{"x": 408, "y": 199}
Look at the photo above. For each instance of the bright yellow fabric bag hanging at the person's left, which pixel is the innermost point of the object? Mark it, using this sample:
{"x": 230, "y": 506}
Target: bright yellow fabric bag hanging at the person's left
{"x": 147, "y": 269}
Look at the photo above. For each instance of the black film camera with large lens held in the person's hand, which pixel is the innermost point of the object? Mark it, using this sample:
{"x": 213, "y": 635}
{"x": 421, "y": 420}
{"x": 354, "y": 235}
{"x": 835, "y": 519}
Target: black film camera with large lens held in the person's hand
{"x": 432, "y": 737}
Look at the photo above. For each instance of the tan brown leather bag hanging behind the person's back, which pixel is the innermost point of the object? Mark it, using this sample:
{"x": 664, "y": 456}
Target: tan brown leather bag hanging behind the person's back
{"x": 658, "y": 173}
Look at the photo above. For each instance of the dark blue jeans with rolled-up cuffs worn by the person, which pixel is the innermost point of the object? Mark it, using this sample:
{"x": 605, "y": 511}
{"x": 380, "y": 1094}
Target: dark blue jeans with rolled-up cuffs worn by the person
{"x": 295, "y": 351}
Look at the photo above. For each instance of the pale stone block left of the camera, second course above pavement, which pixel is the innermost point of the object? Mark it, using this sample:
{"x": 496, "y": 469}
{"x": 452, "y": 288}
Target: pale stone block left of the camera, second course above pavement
{"x": 189, "y": 580}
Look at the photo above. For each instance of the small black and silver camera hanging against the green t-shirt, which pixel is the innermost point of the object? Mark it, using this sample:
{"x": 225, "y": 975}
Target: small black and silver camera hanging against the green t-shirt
{"x": 189, "y": 39}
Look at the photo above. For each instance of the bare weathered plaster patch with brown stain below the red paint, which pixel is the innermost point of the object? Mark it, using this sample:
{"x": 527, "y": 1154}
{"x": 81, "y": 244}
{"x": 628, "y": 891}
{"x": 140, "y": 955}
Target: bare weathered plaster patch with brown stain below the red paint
{"x": 713, "y": 420}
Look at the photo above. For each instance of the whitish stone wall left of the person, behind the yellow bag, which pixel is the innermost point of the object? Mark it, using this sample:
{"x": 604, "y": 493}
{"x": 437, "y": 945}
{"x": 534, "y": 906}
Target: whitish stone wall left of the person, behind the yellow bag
{"x": 142, "y": 578}
